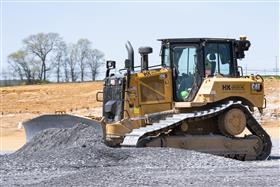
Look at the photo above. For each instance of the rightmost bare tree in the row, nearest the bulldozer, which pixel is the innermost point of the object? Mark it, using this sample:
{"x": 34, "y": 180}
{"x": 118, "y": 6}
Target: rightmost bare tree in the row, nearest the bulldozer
{"x": 95, "y": 61}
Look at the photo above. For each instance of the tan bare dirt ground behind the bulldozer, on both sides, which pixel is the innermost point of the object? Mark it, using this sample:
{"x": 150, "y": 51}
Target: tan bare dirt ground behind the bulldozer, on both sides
{"x": 20, "y": 103}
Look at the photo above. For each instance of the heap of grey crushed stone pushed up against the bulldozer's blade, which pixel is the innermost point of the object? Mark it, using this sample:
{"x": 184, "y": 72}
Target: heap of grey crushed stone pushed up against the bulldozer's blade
{"x": 80, "y": 135}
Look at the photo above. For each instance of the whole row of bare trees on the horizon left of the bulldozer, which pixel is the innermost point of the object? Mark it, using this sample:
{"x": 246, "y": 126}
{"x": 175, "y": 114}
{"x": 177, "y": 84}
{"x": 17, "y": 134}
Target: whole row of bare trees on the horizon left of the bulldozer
{"x": 46, "y": 54}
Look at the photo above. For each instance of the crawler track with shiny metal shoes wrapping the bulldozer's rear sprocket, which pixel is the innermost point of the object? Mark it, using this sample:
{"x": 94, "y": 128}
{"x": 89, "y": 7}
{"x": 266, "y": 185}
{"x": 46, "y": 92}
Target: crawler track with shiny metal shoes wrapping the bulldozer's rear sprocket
{"x": 136, "y": 137}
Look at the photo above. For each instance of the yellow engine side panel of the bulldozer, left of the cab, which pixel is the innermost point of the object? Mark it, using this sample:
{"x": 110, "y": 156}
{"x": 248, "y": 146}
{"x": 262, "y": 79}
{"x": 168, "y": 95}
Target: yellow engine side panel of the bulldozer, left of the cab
{"x": 149, "y": 92}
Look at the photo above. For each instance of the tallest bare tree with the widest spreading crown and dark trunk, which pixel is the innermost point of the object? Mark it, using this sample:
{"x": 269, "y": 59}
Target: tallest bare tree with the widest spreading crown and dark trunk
{"x": 40, "y": 45}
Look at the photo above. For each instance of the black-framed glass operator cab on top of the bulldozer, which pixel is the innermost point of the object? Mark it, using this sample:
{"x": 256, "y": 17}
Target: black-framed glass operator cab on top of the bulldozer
{"x": 194, "y": 59}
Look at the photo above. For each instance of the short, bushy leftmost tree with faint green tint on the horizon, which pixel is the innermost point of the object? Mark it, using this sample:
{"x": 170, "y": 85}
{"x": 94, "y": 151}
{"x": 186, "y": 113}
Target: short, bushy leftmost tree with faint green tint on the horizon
{"x": 24, "y": 66}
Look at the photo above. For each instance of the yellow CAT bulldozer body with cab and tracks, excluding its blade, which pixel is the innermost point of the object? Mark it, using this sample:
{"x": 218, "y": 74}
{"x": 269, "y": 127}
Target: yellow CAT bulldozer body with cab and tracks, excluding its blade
{"x": 196, "y": 98}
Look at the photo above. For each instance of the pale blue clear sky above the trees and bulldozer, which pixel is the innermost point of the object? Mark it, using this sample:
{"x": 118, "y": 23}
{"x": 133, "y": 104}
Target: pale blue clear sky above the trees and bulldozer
{"x": 110, "y": 24}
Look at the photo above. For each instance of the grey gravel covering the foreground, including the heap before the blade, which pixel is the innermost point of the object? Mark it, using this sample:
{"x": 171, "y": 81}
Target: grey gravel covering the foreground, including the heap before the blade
{"x": 77, "y": 157}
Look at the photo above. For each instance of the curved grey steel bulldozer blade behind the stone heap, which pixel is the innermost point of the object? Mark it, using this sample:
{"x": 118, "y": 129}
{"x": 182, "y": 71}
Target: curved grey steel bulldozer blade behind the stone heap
{"x": 48, "y": 121}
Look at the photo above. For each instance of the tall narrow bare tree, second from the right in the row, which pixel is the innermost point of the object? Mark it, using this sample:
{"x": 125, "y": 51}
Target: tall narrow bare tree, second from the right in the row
{"x": 83, "y": 47}
